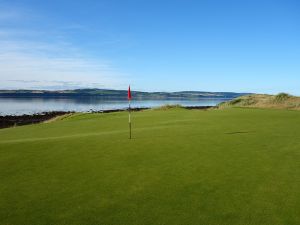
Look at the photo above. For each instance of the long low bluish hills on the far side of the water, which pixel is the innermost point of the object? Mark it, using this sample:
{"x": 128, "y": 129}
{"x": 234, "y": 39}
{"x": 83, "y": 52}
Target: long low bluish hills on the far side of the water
{"x": 117, "y": 94}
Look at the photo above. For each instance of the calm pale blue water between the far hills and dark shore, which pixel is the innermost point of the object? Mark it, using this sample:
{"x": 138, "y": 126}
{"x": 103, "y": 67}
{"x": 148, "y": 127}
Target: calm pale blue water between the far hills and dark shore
{"x": 19, "y": 106}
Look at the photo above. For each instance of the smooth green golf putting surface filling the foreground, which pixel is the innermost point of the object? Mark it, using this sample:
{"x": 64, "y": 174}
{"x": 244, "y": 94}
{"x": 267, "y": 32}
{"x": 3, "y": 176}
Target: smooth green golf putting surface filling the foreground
{"x": 233, "y": 166}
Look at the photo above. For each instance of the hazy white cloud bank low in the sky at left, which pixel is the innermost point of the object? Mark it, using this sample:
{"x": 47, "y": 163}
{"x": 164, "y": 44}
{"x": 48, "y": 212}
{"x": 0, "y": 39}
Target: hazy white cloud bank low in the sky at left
{"x": 26, "y": 62}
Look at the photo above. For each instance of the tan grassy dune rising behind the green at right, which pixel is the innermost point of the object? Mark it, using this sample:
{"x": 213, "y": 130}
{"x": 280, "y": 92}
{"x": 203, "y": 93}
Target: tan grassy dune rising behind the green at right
{"x": 280, "y": 101}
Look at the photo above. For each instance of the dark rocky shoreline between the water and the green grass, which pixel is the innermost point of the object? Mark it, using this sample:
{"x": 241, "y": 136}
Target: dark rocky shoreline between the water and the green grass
{"x": 7, "y": 121}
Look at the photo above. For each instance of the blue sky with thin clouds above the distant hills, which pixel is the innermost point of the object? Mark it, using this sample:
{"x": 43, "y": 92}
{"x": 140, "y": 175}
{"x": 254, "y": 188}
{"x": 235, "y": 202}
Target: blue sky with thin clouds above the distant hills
{"x": 153, "y": 45}
